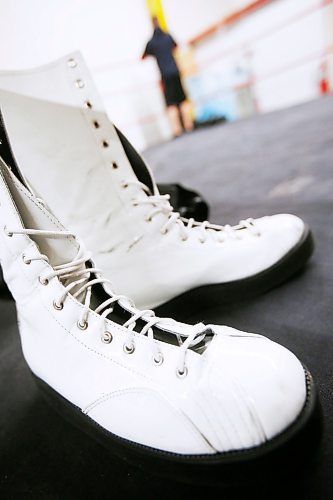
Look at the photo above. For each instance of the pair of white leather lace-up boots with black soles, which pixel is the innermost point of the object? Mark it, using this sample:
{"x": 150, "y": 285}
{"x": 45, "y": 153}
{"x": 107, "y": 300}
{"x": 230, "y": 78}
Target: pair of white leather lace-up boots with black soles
{"x": 153, "y": 388}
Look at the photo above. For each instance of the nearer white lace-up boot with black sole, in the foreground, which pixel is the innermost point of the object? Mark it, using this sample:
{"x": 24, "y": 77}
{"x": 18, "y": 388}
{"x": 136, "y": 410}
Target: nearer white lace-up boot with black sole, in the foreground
{"x": 148, "y": 388}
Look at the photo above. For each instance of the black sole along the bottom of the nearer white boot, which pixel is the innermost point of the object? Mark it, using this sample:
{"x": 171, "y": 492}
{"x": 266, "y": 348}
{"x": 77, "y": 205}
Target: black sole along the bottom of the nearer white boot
{"x": 290, "y": 448}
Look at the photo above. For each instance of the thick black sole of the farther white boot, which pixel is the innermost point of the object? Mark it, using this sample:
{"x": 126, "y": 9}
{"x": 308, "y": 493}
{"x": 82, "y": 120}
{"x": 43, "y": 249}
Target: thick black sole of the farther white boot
{"x": 207, "y": 296}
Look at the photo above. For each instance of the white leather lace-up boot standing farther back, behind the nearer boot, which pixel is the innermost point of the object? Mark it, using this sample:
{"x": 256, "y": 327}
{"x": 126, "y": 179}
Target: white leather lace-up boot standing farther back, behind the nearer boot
{"x": 72, "y": 156}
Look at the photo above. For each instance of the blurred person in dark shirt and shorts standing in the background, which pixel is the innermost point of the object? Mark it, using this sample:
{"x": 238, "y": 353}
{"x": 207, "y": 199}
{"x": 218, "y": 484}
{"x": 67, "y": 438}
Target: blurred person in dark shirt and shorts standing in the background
{"x": 161, "y": 46}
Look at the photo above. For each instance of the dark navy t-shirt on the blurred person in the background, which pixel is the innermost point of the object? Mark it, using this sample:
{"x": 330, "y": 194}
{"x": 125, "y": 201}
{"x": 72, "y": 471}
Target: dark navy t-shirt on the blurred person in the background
{"x": 161, "y": 46}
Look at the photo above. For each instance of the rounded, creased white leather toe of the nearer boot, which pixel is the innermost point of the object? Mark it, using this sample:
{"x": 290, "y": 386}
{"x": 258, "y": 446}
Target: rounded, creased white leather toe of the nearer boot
{"x": 252, "y": 390}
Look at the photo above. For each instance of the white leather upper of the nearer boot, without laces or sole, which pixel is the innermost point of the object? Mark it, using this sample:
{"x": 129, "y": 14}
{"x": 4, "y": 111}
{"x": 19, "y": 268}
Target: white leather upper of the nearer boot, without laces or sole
{"x": 243, "y": 390}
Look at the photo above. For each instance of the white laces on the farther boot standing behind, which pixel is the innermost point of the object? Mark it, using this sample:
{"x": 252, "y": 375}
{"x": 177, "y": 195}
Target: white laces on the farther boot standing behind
{"x": 161, "y": 205}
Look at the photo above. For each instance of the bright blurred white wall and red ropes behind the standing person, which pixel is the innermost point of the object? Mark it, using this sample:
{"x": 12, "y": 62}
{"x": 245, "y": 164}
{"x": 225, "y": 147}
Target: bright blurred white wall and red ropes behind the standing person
{"x": 237, "y": 57}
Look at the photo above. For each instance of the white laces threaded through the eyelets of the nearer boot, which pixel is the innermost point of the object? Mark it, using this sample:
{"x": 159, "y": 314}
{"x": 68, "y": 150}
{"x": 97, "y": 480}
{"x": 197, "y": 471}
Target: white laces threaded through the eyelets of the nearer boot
{"x": 78, "y": 281}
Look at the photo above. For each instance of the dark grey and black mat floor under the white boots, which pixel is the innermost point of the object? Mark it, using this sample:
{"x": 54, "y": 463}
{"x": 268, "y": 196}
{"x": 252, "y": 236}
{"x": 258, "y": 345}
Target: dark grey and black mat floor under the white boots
{"x": 281, "y": 162}
